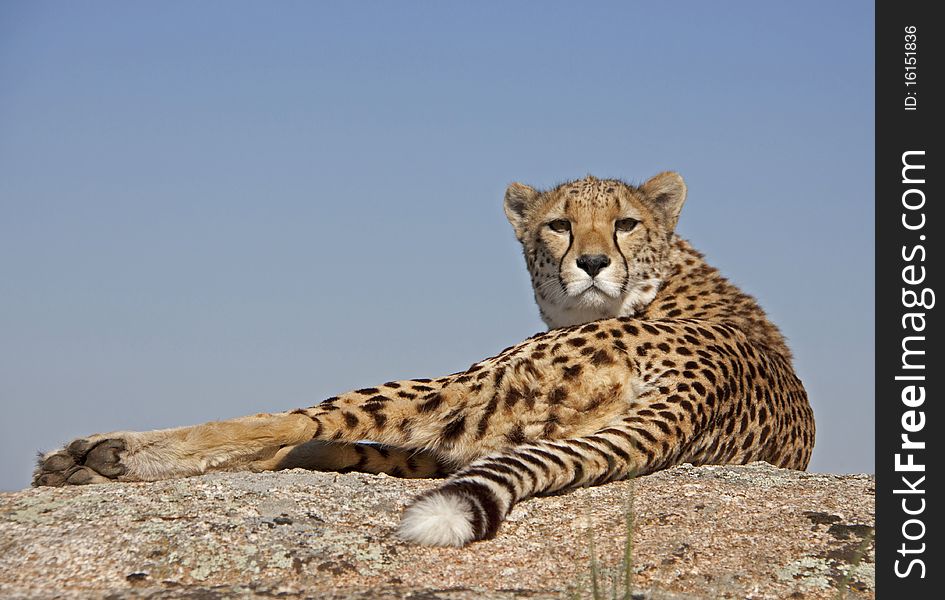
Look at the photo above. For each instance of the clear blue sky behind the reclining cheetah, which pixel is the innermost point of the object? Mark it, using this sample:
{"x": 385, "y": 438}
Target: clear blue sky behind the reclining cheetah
{"x": 218, "y": 208}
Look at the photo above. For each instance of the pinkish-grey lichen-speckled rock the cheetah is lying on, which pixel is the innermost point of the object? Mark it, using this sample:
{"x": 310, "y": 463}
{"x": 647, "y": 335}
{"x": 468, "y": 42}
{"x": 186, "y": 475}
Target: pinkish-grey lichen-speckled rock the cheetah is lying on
{"x": 698, "y": 532}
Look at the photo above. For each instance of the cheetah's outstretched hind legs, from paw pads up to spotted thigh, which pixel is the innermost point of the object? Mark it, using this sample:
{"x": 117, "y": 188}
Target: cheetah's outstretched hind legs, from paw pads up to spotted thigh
{"x": 426, "y": 426}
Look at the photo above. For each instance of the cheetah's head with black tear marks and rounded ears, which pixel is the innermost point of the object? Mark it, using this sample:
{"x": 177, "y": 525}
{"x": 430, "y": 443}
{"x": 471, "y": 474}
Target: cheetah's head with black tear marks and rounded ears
{"x": 596, "y": 248}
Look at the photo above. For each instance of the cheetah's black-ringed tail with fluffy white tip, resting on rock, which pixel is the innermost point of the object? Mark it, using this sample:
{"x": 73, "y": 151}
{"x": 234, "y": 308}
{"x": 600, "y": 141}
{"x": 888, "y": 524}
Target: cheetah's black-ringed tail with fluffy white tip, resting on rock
{"x": 474, "y": 501}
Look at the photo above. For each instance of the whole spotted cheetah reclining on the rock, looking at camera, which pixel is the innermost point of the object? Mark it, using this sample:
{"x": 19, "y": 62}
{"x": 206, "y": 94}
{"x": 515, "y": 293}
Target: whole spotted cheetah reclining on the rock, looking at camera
{"x": 651, "y": 359}
